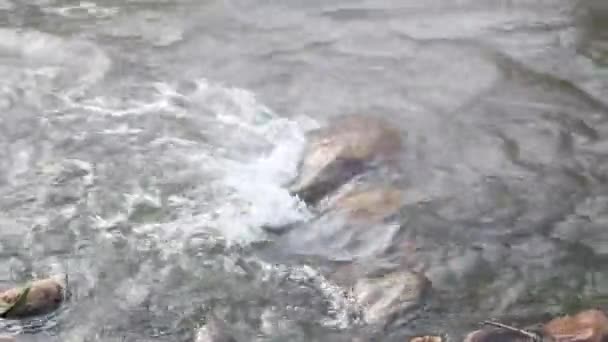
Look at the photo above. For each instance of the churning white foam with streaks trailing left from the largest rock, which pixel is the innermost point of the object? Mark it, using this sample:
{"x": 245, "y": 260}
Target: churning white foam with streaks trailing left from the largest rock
{"x": 242, "y": 188}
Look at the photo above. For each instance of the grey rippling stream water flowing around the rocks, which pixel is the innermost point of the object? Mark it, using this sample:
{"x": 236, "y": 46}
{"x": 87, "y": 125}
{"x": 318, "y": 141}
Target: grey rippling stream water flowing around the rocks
{"x": 144, "y": 143}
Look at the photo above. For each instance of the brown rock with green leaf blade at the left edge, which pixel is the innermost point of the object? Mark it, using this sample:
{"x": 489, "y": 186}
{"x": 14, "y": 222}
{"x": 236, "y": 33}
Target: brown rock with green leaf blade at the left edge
{"x": 40, "y": 297}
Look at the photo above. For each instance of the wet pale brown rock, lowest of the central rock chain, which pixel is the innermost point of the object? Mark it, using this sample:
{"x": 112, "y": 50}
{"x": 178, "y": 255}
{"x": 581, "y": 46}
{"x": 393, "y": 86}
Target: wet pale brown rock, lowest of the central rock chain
{"x": 389, "y": 294}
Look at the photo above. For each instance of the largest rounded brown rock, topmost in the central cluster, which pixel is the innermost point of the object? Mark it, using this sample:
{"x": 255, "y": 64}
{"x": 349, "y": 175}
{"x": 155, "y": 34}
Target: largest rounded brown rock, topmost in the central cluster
{"x": 344, "y": 149}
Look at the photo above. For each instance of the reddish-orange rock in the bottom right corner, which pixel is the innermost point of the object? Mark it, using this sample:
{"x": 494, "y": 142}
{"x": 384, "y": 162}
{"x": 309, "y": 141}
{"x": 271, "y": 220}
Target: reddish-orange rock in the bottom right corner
{"x": 586, "y": 326}
